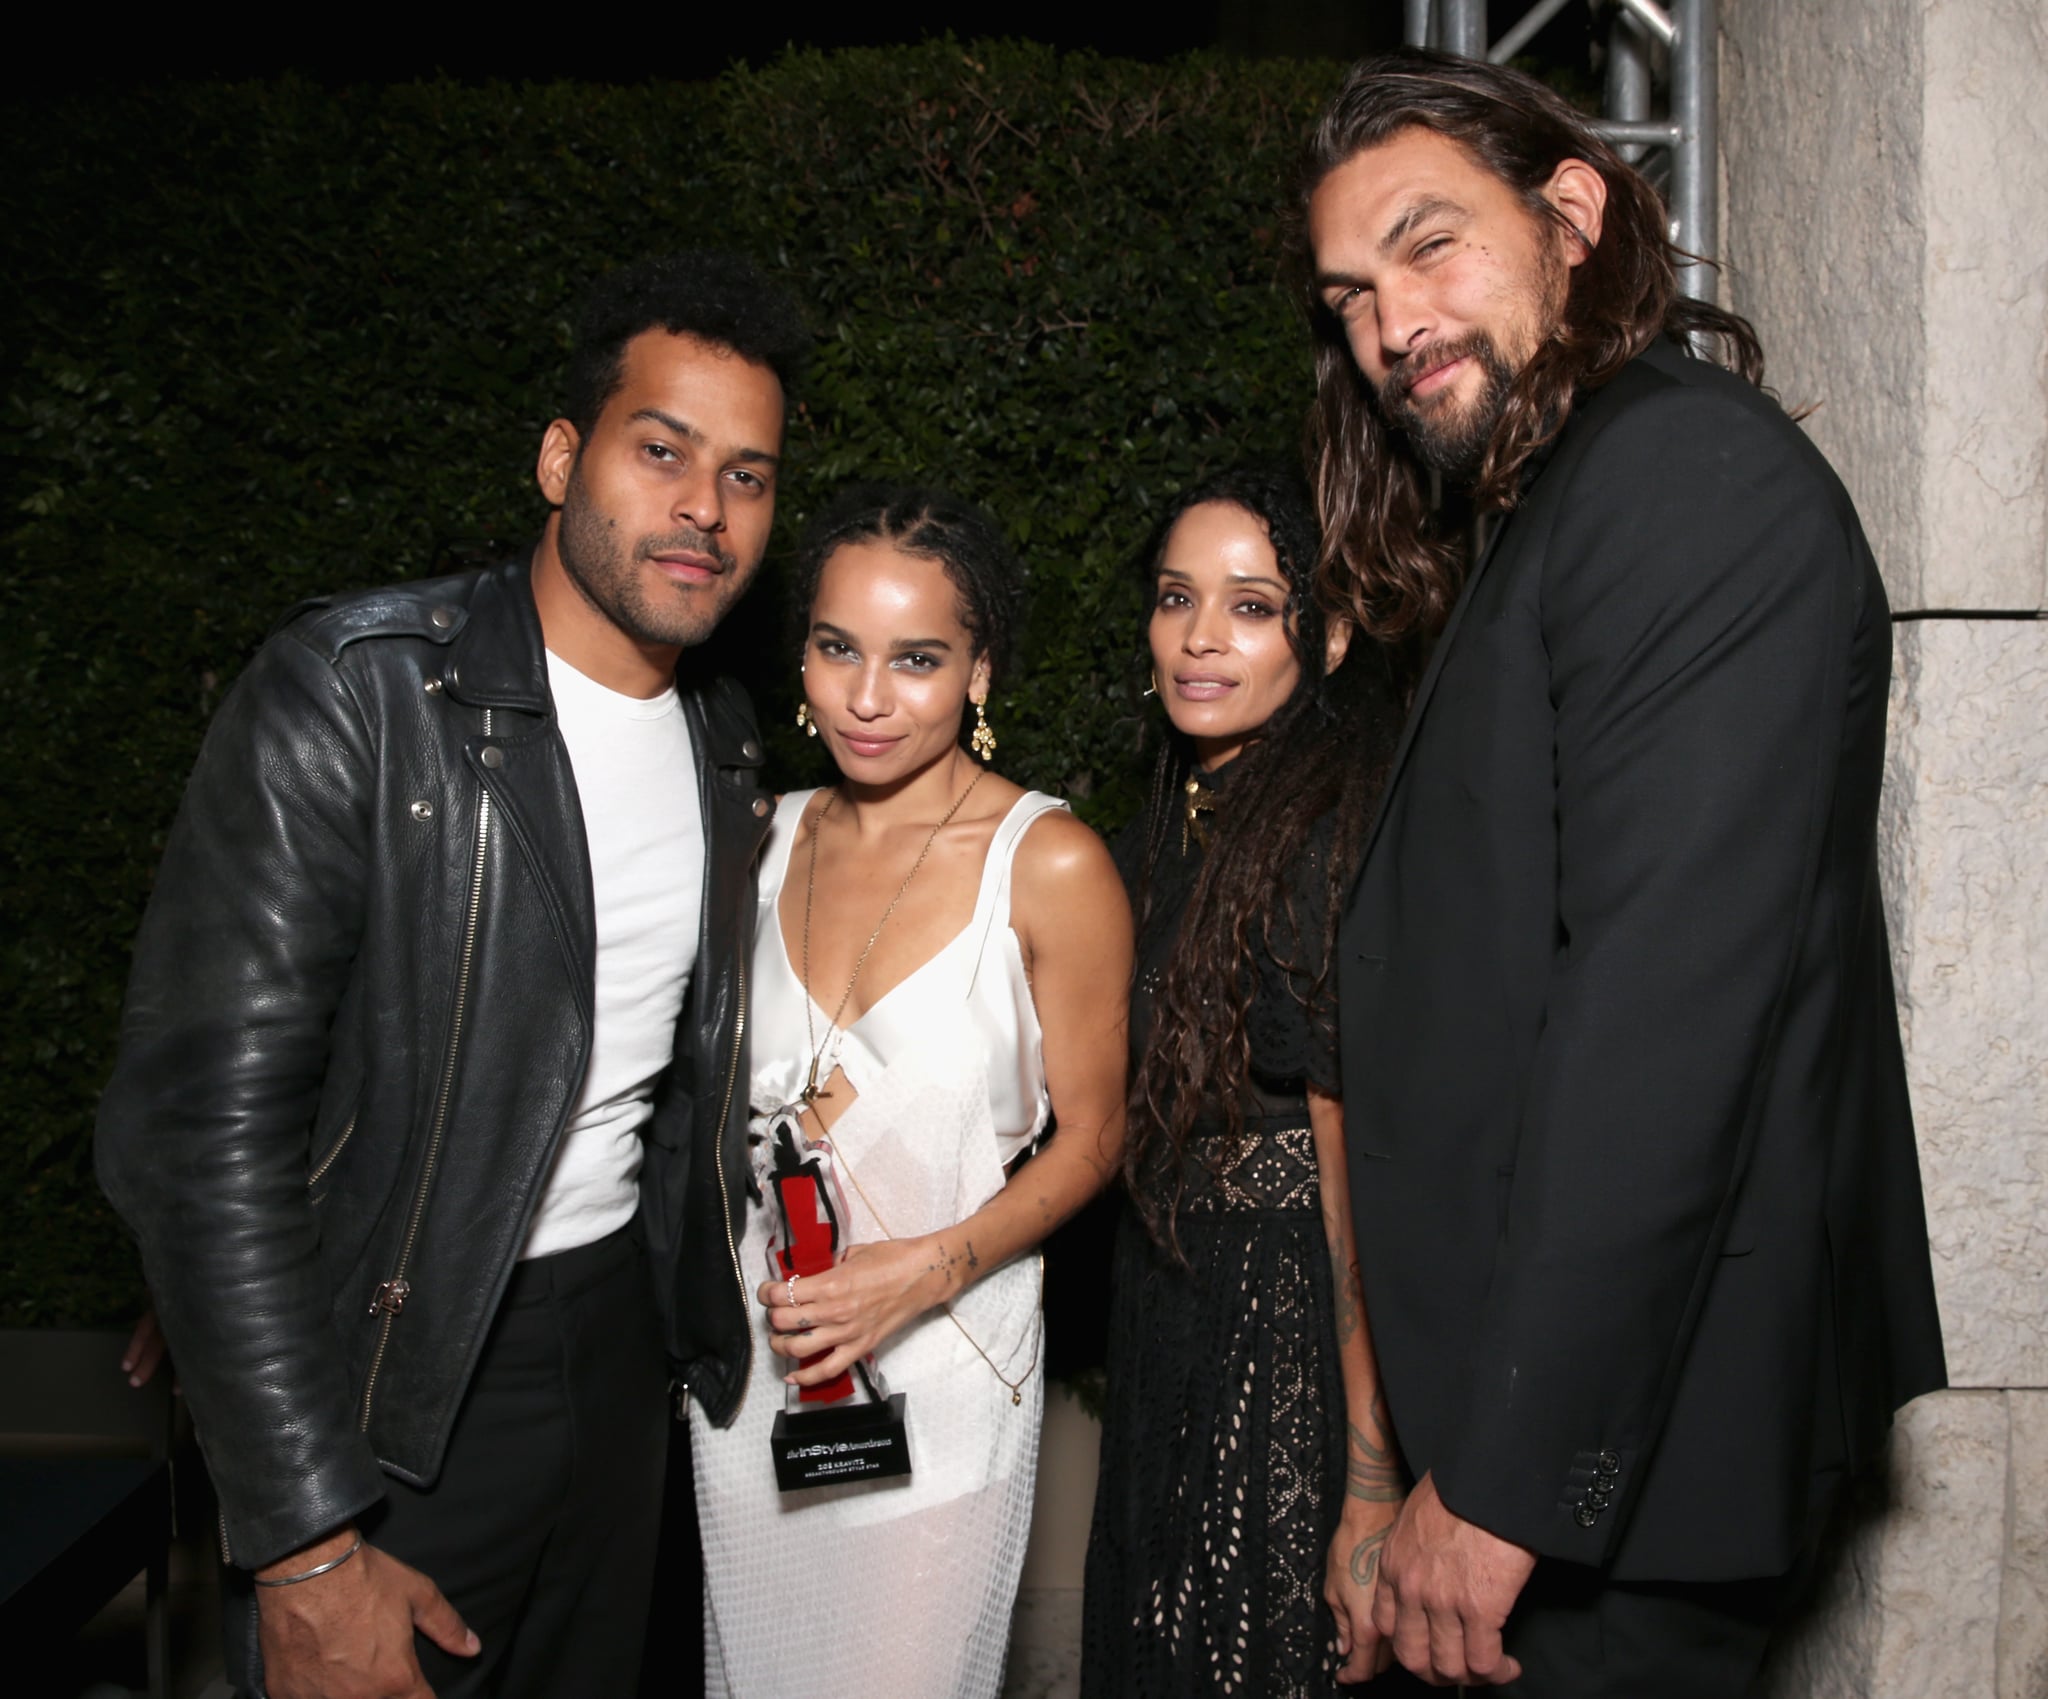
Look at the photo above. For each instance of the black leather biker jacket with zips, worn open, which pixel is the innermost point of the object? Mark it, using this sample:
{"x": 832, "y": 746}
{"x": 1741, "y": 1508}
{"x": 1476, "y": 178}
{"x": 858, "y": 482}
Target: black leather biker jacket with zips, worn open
{"x": 357, "y": 1025}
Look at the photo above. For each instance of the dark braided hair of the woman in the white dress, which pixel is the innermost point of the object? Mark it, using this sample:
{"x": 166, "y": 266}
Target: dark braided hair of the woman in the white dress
{"x": 921, "y": 521}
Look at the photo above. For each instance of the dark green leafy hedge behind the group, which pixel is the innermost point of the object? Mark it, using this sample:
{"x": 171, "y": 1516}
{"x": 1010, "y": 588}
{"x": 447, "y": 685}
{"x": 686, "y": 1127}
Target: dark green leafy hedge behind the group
{"x": 271, "y": 341}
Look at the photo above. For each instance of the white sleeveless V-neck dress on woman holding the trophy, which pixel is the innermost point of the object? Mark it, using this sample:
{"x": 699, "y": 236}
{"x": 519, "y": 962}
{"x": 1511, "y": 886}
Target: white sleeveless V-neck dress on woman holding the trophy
{"x": 892, "y": 1589}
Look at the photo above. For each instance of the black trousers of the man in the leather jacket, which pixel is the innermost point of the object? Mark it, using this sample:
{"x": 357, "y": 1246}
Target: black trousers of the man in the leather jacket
{"x": 544, "y": 1522}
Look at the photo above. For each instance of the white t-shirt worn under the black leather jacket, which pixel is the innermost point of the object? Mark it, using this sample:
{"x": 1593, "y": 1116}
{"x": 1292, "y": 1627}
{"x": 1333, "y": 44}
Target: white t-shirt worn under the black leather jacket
{"x": 636, "y": 777}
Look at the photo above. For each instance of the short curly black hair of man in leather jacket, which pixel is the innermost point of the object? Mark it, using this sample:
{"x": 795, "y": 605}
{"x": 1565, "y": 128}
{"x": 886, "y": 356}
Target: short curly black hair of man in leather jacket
{"x": 724, "y": 300}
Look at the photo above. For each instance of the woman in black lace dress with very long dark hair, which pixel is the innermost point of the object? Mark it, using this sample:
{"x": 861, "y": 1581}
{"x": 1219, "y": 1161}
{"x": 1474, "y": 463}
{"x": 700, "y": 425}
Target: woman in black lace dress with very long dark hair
{"x": 1248, "y": 1469}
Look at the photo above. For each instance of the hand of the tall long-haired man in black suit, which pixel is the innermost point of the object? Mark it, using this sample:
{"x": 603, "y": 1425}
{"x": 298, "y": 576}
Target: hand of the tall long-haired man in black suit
{"x": 1445, "y": 1594}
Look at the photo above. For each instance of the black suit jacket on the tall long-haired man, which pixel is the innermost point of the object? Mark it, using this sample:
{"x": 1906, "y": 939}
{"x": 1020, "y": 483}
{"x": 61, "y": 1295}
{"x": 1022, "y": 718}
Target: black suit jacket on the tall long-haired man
{"x": 1633, "y": 1166}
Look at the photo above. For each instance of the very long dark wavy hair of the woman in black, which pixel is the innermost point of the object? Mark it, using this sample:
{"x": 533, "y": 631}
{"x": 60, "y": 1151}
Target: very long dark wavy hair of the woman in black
{"x": 1322, "y": 758}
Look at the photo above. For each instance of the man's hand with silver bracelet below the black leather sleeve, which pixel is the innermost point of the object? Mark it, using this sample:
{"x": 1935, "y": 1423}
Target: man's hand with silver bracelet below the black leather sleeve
{"x": 347, "y": 1635}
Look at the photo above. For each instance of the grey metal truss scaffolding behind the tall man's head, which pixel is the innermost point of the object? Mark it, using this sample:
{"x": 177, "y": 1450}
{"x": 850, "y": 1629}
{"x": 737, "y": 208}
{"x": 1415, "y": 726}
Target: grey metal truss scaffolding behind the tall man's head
{"x": 1660, "y": 58}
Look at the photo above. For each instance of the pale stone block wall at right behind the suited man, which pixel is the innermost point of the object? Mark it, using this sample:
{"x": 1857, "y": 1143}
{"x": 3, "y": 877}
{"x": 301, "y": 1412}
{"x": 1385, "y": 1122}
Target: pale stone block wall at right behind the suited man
{"x": 1887, "y": 228}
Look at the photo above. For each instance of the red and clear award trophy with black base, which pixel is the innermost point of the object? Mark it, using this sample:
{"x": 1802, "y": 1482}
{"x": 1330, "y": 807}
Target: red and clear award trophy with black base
{"x": 847, "y": 1428}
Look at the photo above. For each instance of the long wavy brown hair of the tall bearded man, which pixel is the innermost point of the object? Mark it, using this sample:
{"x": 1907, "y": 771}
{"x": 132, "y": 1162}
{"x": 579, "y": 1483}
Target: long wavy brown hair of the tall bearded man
{"x": 1388, "y": 558}
